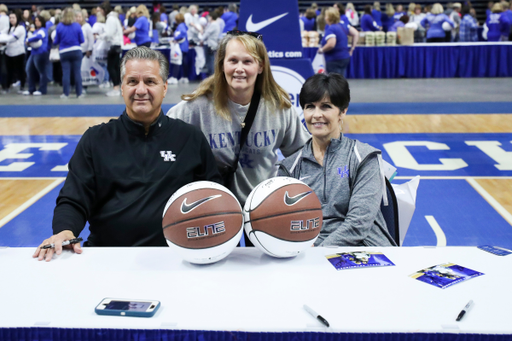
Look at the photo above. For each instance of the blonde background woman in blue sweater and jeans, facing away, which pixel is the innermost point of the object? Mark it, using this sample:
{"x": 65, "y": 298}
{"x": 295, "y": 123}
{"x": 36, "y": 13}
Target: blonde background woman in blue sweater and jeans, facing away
{"x": 69, "y": 37}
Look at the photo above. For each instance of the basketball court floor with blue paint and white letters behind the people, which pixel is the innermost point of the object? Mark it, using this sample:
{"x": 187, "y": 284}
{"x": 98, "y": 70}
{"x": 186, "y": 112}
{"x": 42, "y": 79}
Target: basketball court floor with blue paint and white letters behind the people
{"x": 455, "y": 133}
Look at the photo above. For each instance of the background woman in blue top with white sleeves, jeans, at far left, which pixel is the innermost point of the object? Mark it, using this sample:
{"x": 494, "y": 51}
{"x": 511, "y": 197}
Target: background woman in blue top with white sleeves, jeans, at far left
{"x": 36, "y": 64}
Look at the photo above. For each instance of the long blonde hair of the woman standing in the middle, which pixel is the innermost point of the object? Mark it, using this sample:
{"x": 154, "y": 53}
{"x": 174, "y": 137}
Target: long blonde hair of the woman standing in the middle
{"x": 216, "y": 87}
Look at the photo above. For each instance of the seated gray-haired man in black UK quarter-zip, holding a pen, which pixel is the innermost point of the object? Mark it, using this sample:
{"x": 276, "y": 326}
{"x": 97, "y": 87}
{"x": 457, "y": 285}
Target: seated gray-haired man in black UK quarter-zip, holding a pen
{"x": 107, "y": 185}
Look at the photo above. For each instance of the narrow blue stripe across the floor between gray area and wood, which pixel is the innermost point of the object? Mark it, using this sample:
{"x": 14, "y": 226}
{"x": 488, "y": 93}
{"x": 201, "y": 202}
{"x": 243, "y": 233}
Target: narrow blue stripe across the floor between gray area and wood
{"x": 114, "y": 110}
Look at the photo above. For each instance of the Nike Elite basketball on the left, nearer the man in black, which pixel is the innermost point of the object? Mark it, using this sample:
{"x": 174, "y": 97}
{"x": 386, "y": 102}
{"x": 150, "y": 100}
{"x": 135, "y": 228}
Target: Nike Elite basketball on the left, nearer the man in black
{"x": 203, "y": 221}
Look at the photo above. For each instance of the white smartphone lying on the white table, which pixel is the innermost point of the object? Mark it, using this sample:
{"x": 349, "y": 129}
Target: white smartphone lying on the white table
{"x": 127, "y": 307}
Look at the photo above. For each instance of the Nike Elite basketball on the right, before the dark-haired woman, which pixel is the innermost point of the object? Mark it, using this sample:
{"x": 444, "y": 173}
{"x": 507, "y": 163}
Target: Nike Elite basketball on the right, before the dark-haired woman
{"x": 283, "y": 217}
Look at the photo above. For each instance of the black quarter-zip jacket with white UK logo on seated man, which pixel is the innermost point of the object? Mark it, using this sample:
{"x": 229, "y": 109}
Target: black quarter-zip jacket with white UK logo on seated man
{"x": 120, "y": 179}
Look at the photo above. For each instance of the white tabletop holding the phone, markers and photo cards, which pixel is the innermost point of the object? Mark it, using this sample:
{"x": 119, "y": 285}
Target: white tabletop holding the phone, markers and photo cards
{"x": 250, "y": 291}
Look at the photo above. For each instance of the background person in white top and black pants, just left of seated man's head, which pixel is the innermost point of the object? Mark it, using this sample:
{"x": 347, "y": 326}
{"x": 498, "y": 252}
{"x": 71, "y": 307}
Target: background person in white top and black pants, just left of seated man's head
{"x": 113, "y": 35}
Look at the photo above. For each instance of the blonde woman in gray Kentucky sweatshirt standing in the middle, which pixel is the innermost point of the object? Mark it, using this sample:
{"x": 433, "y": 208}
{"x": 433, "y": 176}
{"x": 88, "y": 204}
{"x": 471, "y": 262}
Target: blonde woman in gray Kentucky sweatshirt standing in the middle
{"x": 218, "y": 107}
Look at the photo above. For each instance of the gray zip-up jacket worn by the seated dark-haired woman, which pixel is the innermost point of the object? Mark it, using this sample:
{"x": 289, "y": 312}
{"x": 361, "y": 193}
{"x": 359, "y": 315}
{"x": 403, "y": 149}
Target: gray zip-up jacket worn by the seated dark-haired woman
{"x": 350, "y": 186}
